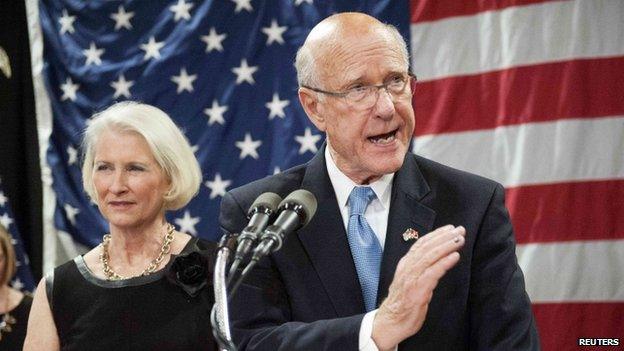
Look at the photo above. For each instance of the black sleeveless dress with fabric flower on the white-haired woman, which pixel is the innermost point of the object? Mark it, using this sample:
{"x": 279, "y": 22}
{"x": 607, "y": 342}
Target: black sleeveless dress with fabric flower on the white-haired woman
{"x": 161, "y": 311}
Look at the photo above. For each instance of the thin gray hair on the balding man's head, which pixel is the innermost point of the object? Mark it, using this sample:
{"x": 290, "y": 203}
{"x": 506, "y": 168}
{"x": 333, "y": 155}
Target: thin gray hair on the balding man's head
{"x": 305, "y": 61}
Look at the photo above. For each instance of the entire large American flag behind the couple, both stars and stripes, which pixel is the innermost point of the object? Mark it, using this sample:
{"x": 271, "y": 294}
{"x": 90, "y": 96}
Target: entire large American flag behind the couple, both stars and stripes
{"x": 527, "y": 92}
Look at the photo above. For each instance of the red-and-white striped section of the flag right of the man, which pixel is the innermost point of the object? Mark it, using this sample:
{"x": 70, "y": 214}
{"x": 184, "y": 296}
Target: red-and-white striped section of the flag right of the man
{"x": 531, "y": 94}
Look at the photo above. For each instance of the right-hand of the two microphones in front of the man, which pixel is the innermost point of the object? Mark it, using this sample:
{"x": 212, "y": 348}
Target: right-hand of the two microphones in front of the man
{"x": 295, "y": 211}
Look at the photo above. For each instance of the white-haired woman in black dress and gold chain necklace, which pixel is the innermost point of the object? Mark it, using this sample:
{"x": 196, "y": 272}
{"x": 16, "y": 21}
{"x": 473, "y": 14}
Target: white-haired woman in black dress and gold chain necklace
{"x": 145, "y": 286}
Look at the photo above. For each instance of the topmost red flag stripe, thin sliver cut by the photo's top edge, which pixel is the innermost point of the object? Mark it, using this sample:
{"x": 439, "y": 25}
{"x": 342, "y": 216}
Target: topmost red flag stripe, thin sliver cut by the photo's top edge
{"x": 423, "y": 11}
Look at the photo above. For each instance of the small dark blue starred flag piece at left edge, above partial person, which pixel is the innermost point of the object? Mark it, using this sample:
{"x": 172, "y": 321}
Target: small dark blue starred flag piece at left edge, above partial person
{"x": 23, "y": 279}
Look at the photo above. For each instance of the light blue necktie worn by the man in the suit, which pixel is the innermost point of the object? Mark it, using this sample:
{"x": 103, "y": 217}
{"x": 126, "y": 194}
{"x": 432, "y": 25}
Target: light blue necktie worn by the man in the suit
{"x": 364, "y": 245}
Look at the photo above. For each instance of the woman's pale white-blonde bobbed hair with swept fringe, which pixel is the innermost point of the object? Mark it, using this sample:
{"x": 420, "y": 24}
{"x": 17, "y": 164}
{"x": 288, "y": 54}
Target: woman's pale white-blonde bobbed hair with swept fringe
{"x": 169, "y": 147}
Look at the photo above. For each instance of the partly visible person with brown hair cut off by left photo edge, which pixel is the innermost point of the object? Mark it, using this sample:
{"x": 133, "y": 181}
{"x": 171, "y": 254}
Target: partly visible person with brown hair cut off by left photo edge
{"x": 14, "y": 305}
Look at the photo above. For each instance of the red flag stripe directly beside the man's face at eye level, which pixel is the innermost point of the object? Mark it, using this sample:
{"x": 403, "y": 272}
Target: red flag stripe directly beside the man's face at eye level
{"x": 546, "y": 92}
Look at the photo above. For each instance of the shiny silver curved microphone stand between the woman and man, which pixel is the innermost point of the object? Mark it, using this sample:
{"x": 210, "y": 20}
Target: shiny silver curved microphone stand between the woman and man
{"x": 219, "y": 317}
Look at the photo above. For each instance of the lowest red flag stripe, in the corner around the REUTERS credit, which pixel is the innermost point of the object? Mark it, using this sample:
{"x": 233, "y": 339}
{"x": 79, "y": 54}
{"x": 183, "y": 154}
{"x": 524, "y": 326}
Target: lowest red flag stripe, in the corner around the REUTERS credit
{"x": 560, "y": 325}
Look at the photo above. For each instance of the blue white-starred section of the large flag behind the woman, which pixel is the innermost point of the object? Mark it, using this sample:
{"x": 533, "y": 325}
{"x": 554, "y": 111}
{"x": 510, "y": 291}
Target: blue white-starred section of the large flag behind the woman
{"x": 223, "y": 70}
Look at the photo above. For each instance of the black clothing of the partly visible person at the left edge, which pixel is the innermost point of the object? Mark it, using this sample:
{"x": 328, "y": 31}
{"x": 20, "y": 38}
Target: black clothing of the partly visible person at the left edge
{"x": 13, "y": 325}
